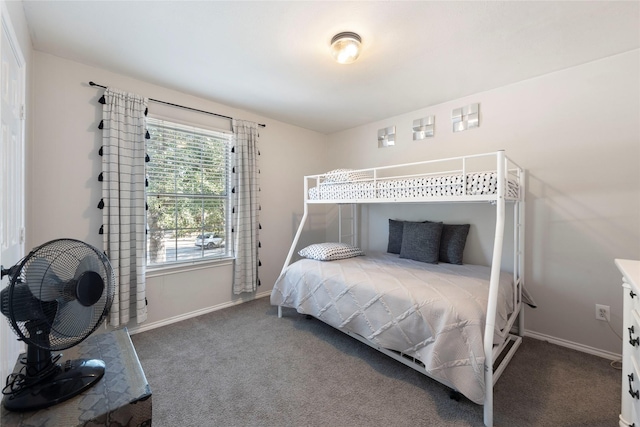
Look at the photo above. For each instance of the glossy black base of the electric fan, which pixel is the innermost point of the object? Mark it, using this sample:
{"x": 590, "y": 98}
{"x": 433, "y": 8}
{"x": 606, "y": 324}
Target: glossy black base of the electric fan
{"x": 74, "y": 377}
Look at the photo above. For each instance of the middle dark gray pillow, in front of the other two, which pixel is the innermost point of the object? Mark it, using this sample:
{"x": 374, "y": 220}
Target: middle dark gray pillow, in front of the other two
{"x": 421, "y": 241}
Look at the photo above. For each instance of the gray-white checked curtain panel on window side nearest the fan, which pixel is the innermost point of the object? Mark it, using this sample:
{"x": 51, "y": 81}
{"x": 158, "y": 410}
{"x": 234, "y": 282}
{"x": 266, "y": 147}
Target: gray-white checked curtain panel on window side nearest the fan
{"x": 123, "y": 201}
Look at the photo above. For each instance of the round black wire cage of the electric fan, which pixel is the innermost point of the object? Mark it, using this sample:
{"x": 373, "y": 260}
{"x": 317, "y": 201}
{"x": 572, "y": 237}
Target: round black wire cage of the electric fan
{"x": 47, "y": 306}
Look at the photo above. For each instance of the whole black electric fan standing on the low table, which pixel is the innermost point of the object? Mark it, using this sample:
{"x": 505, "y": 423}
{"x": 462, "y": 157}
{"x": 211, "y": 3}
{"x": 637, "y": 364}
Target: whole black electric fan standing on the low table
{"x": 56, "y": 297}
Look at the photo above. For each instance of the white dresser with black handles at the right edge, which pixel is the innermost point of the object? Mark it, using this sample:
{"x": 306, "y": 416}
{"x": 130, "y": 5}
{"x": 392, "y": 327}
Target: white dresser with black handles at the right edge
{"x": 630, "y": 408}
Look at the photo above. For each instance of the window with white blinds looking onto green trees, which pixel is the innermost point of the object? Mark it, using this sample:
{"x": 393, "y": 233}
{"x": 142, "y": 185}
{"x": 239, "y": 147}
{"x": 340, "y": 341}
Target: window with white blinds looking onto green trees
{"x": 187, "y": 193}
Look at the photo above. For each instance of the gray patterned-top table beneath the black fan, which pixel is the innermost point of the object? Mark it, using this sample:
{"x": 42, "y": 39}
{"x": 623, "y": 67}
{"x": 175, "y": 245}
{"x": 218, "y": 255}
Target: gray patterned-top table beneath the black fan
{"x": 121, "y": 398}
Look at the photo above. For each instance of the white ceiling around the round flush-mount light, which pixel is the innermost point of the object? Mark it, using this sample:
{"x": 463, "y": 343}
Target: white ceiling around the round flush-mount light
{"x": 272, "y": 57}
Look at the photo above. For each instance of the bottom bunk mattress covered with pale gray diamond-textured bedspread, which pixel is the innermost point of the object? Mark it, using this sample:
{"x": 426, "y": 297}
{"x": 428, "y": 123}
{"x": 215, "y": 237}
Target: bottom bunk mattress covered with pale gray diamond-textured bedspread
{"x": 432, "y": 312}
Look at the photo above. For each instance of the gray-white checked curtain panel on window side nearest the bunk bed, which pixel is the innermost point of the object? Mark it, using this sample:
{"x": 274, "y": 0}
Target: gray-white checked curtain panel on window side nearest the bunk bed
{"x": 246, "y": 206}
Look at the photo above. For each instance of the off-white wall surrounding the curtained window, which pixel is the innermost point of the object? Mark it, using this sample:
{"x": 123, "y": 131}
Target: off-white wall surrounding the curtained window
{"x": 64, "y": 164}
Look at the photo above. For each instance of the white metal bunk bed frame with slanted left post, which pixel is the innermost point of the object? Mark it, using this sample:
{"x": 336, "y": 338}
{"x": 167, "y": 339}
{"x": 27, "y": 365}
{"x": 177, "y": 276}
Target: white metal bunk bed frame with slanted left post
{"x": 506, "y": 170}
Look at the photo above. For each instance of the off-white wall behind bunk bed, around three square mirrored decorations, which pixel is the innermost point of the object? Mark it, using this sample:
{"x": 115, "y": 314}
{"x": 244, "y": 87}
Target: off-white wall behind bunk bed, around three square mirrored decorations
{"x": 577, "y": 132}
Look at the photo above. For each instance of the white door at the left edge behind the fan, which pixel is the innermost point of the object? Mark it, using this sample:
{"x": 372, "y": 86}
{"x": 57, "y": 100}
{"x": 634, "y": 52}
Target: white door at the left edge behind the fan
{"x": 12, "y": 161}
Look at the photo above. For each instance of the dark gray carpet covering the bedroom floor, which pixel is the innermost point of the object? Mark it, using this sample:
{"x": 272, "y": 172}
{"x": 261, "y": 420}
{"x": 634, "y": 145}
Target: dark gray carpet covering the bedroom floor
{"x": 242, "y": 366}
